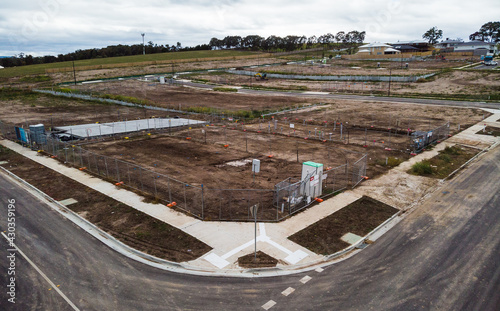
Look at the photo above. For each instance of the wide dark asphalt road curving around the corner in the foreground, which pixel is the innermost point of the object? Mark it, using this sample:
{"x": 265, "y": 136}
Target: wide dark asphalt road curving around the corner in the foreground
{"x": 443, "y": 256}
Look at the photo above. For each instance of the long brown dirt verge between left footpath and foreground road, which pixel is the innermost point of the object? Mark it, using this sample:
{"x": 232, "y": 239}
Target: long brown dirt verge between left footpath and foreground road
{"x": 125, "y": 223}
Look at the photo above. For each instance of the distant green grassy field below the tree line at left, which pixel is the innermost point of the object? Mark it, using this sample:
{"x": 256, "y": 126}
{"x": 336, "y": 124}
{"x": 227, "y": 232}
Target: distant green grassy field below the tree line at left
{"x": 40, "y": 69}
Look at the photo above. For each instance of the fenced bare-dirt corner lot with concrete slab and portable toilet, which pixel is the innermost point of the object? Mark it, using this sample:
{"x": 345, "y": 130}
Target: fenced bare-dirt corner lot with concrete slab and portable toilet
{"x": 226, "y": 168}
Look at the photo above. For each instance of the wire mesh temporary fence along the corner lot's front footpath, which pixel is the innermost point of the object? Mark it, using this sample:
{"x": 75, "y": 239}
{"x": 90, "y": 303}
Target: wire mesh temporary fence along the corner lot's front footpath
{"x": 200, "y": 201}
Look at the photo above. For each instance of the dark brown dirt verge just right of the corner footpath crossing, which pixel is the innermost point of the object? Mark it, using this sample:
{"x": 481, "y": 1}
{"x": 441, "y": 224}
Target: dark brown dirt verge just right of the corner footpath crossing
{"x": 359, "y": 217}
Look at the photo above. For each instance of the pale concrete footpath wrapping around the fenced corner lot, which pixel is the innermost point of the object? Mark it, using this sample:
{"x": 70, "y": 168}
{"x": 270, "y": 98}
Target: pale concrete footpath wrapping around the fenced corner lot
{"x": 231, "y": 240}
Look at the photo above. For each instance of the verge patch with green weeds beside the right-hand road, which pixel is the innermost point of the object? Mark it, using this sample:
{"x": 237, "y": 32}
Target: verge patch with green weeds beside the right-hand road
{"x": 442, "y": 165}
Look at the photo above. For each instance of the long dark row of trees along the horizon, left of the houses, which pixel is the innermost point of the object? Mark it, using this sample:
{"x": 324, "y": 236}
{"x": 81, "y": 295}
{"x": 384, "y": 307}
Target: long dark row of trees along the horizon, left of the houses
{"x": 252, "y": 42}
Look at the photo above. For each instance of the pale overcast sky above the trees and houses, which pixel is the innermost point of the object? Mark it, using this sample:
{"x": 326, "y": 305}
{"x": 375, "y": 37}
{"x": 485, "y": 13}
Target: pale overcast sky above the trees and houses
{"x": 51, "y": 27}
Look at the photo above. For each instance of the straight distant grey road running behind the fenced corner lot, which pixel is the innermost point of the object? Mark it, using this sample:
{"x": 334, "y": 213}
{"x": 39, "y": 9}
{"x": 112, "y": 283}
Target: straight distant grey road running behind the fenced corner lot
{"x": 387, "y": 99}
